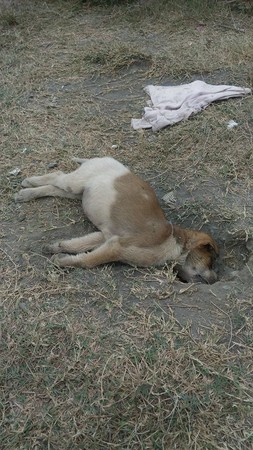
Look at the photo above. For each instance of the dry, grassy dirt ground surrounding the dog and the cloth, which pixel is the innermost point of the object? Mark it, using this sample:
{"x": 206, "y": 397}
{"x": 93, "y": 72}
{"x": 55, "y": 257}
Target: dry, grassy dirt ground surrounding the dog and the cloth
{"x": 72, "y": 78}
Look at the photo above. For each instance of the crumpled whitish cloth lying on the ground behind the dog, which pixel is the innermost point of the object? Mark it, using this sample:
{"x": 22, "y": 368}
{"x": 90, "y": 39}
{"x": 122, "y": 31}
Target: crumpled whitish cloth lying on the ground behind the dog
{"x": 171, "y": 104}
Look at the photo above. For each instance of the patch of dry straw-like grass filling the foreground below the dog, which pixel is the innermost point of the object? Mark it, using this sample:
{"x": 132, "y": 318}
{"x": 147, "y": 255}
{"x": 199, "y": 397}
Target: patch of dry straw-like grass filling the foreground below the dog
{"x": 71, "y": 385}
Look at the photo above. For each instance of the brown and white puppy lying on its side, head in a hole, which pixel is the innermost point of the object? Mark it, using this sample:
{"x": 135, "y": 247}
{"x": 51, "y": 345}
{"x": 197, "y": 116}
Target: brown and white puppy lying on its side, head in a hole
{"x": 133, "y": 227}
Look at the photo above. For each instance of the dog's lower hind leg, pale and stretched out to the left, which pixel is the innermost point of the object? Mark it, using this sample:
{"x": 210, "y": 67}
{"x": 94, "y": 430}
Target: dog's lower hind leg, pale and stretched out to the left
{"x": 25, "y": 195}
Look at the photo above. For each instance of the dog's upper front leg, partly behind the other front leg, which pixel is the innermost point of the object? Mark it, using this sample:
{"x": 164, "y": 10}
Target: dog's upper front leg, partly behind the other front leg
{"x": 77, "y": 245}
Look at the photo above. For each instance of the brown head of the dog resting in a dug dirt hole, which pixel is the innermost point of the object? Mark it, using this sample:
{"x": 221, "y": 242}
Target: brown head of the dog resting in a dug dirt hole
{"x": 202, "y": 251}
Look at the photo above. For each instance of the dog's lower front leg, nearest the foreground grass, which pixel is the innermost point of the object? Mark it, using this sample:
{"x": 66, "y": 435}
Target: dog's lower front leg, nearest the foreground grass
{"x": 110, "y": 251}
